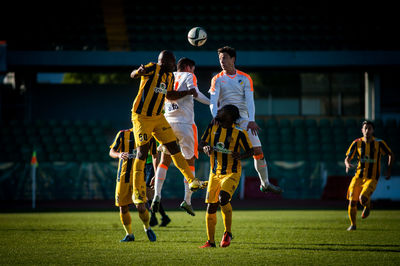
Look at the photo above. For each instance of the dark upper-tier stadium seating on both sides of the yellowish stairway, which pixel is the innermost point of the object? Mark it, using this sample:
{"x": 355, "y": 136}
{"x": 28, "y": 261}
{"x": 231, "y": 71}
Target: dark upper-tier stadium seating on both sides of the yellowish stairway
{"x": 259, "y": 26}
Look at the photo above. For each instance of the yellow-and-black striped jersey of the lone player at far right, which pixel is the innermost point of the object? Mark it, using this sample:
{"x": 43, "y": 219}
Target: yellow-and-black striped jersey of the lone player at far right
{"x": 369, "y": 156}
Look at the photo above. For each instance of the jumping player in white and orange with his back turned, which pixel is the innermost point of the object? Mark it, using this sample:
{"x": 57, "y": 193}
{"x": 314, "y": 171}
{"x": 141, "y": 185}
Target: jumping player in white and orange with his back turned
{"x": 179, "y": 113}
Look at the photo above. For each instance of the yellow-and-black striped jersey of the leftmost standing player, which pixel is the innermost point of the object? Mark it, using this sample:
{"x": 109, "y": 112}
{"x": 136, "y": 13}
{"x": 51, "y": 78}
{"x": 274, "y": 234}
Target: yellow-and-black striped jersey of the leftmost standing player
{"x": 125, "y": 142}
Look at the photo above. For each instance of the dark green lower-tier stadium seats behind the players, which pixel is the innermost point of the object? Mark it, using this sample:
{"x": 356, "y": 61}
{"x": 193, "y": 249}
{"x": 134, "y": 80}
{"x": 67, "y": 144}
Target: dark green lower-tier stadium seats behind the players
{"x": 311, "y": 140}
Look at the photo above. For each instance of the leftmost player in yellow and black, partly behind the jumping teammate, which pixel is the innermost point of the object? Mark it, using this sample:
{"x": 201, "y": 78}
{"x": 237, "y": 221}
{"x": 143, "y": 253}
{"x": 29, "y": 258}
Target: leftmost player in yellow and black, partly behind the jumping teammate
{"x": 124, "y": 148}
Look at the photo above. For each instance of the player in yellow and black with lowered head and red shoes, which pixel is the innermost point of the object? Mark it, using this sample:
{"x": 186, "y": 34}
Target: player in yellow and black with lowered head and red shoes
{"x": 223, "y": 141}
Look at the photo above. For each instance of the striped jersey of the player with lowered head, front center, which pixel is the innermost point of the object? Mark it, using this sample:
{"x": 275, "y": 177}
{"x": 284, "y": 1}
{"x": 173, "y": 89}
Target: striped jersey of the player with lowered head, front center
{"x": 224, "y": 141}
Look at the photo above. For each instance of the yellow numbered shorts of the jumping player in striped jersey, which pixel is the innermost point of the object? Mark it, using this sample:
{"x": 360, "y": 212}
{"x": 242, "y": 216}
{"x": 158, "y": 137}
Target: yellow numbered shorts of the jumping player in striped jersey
{"x": 146, "y": 126}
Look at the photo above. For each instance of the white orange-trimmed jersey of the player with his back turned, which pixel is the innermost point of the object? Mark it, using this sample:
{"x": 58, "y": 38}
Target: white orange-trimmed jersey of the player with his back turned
{"x": 182, "y": 110}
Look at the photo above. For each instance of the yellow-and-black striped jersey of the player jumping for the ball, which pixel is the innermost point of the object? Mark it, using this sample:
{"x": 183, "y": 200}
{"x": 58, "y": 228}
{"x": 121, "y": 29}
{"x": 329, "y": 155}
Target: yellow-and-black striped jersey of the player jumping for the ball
{"x": 153, "y": 88}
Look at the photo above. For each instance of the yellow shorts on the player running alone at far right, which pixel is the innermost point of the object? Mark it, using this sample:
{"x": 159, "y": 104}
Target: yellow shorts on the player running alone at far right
{"x": 361, "y": 187}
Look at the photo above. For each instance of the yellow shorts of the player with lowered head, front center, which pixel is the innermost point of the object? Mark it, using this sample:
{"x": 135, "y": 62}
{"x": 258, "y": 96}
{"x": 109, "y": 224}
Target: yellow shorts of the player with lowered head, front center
{"x": 218, "y": 182}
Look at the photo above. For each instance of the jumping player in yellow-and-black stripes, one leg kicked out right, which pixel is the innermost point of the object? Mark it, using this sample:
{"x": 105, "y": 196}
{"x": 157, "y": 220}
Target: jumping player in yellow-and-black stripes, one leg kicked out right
{"x": 157, "y": 81}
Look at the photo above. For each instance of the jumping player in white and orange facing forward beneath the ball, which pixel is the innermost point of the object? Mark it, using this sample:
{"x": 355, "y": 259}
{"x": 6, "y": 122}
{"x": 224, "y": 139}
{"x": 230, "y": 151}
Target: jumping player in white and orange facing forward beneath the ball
{"x": 235, "y": 87}
